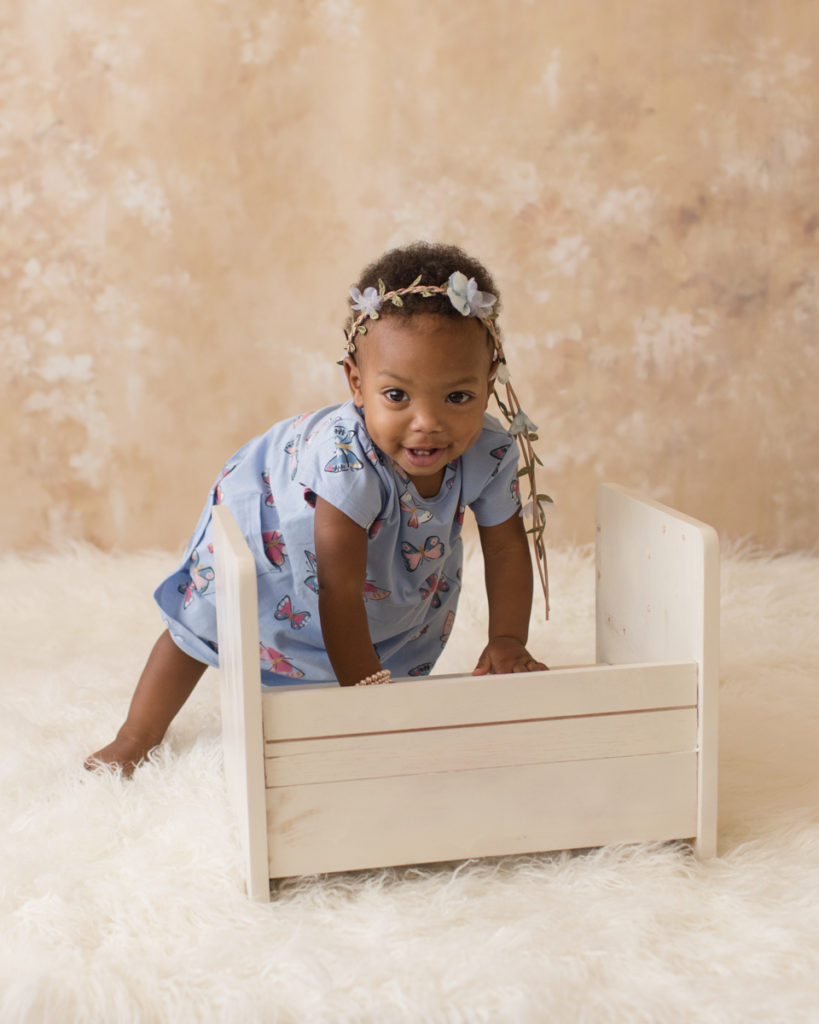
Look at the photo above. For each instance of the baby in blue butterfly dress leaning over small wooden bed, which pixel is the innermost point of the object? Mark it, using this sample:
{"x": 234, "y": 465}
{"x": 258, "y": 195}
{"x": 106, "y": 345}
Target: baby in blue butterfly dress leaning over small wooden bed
{"x": 355, "y": 513}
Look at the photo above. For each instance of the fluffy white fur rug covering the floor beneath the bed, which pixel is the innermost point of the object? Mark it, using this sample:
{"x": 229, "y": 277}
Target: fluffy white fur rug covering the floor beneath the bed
{"x": 122, "y": 902}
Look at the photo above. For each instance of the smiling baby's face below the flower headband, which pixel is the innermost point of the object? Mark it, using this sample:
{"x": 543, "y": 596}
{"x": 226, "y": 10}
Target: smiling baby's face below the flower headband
{"x": 424, "y": 385}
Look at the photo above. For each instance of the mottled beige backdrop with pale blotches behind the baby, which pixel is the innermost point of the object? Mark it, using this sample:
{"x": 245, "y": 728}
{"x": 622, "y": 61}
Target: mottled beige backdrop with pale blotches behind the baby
{"x": 188, "y": 188}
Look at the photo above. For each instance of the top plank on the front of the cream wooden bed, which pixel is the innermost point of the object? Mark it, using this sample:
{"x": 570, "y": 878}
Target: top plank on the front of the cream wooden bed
{"x": 439, "y": 702}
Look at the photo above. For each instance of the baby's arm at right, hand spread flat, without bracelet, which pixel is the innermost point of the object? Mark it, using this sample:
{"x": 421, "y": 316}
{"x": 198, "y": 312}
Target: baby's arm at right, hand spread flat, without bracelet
{"x": 509, "y": 583}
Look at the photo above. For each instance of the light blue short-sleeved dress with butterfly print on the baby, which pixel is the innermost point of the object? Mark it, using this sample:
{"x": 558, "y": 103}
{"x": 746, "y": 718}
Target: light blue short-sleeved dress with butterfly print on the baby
{"x": 414, "y": 550}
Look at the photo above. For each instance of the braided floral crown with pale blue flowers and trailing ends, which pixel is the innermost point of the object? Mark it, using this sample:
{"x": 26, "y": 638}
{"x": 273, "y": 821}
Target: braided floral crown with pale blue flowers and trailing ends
{"x": 470, "y": 302}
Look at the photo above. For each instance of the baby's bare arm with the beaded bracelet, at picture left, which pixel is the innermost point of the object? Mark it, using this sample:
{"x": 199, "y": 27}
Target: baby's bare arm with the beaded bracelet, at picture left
{"x": 341, "y": 558}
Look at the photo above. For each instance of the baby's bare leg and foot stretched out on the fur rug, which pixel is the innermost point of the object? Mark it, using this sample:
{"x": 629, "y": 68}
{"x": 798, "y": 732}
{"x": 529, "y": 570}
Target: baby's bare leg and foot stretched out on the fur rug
{"x": 167, "y": 681}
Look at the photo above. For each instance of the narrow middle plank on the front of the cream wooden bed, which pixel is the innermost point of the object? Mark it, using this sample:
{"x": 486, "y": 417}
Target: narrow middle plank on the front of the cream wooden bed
{"x": 304, "y": 762}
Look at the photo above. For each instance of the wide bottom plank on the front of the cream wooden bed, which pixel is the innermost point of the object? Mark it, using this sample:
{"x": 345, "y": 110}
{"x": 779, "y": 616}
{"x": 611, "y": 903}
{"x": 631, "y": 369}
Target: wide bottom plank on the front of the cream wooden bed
{"x": 453, "y": 816}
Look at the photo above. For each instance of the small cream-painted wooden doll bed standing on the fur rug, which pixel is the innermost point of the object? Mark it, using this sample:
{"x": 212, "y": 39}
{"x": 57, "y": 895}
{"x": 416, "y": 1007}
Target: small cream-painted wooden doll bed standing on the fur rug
{"x": 327, "y": 780}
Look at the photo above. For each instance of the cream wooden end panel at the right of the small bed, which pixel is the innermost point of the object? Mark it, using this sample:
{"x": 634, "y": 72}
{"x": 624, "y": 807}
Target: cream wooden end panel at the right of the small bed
{"x": 659, "y": 600}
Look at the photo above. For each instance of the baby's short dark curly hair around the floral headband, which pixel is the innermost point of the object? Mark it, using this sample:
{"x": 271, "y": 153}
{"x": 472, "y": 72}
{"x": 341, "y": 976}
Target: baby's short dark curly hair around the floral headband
{"x": 435, "y": 264}
